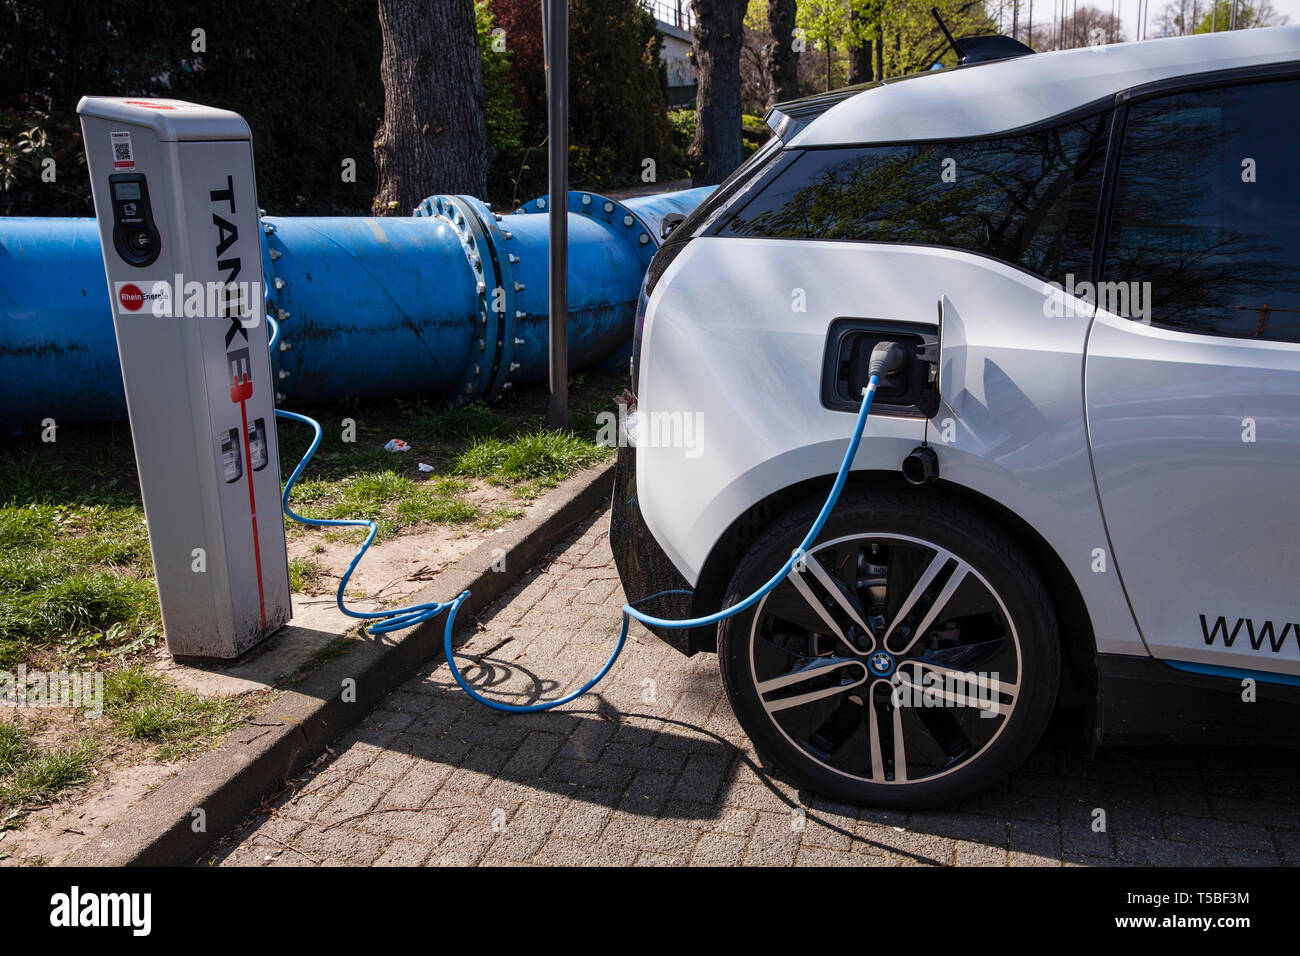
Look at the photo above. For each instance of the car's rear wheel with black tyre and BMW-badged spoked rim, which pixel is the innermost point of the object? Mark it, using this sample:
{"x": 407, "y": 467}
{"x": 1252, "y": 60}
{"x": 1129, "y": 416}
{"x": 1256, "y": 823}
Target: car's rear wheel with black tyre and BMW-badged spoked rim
{"x": 811, "y": 689}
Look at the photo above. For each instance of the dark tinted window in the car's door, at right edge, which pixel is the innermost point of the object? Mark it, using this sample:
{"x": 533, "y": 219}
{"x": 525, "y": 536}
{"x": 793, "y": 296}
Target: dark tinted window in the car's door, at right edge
{"x": 1206, "y": 219}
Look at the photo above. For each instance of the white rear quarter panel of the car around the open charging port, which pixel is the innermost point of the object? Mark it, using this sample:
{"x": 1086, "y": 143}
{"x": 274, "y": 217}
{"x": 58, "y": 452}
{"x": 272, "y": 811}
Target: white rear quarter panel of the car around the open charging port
{"x": 752, "y": 366}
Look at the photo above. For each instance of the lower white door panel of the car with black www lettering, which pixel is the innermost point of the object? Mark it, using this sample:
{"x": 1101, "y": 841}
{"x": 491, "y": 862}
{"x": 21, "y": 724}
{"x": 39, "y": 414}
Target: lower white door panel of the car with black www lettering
{"x": 1197, "y": 447}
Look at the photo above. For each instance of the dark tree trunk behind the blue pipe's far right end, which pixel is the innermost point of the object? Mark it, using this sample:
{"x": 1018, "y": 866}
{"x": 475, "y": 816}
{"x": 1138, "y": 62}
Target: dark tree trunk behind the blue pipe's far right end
{"x": 717, "y": 149}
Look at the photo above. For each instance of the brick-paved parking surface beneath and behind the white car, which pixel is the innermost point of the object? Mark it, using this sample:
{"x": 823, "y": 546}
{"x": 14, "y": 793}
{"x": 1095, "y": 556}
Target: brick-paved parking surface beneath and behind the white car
{"x": 653, "y": 771}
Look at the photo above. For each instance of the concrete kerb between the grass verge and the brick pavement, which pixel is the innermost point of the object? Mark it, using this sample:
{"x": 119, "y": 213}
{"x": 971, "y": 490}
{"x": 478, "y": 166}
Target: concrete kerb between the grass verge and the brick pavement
{"x": 258, "y": 759}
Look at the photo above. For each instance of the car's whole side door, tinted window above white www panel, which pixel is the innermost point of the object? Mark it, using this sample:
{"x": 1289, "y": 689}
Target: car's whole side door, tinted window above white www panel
{"x": 1193, "y": 378}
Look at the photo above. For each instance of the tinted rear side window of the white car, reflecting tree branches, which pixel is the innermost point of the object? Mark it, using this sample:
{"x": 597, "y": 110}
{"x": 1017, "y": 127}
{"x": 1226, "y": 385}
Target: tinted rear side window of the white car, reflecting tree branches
{"x": 1030, "y": 201}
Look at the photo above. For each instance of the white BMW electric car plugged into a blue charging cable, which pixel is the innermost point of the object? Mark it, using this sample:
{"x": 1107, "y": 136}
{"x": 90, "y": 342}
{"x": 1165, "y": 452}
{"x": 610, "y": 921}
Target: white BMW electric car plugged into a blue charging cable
{"x": 1082, "y": 486}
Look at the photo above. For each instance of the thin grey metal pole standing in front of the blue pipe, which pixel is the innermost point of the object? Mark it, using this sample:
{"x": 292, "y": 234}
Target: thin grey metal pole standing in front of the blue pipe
{"x": 556, "y": 24}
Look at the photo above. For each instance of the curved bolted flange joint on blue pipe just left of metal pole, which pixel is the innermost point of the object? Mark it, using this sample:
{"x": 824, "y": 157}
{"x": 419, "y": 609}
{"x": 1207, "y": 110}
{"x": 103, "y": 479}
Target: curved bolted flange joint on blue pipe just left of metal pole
{"x": 487, "y": 326}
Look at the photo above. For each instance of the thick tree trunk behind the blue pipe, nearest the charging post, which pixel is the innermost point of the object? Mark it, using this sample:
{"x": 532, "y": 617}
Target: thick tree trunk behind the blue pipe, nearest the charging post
{"x": 435, "y": 136}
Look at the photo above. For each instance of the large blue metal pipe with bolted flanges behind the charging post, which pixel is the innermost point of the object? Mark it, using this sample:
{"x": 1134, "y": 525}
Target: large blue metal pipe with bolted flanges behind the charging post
{"x": 398, "y": 297}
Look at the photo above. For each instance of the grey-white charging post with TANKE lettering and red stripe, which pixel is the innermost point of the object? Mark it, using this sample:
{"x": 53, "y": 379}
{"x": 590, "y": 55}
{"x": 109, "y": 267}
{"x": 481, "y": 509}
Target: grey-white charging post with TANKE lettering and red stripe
{"x": 177, "y": 209}
